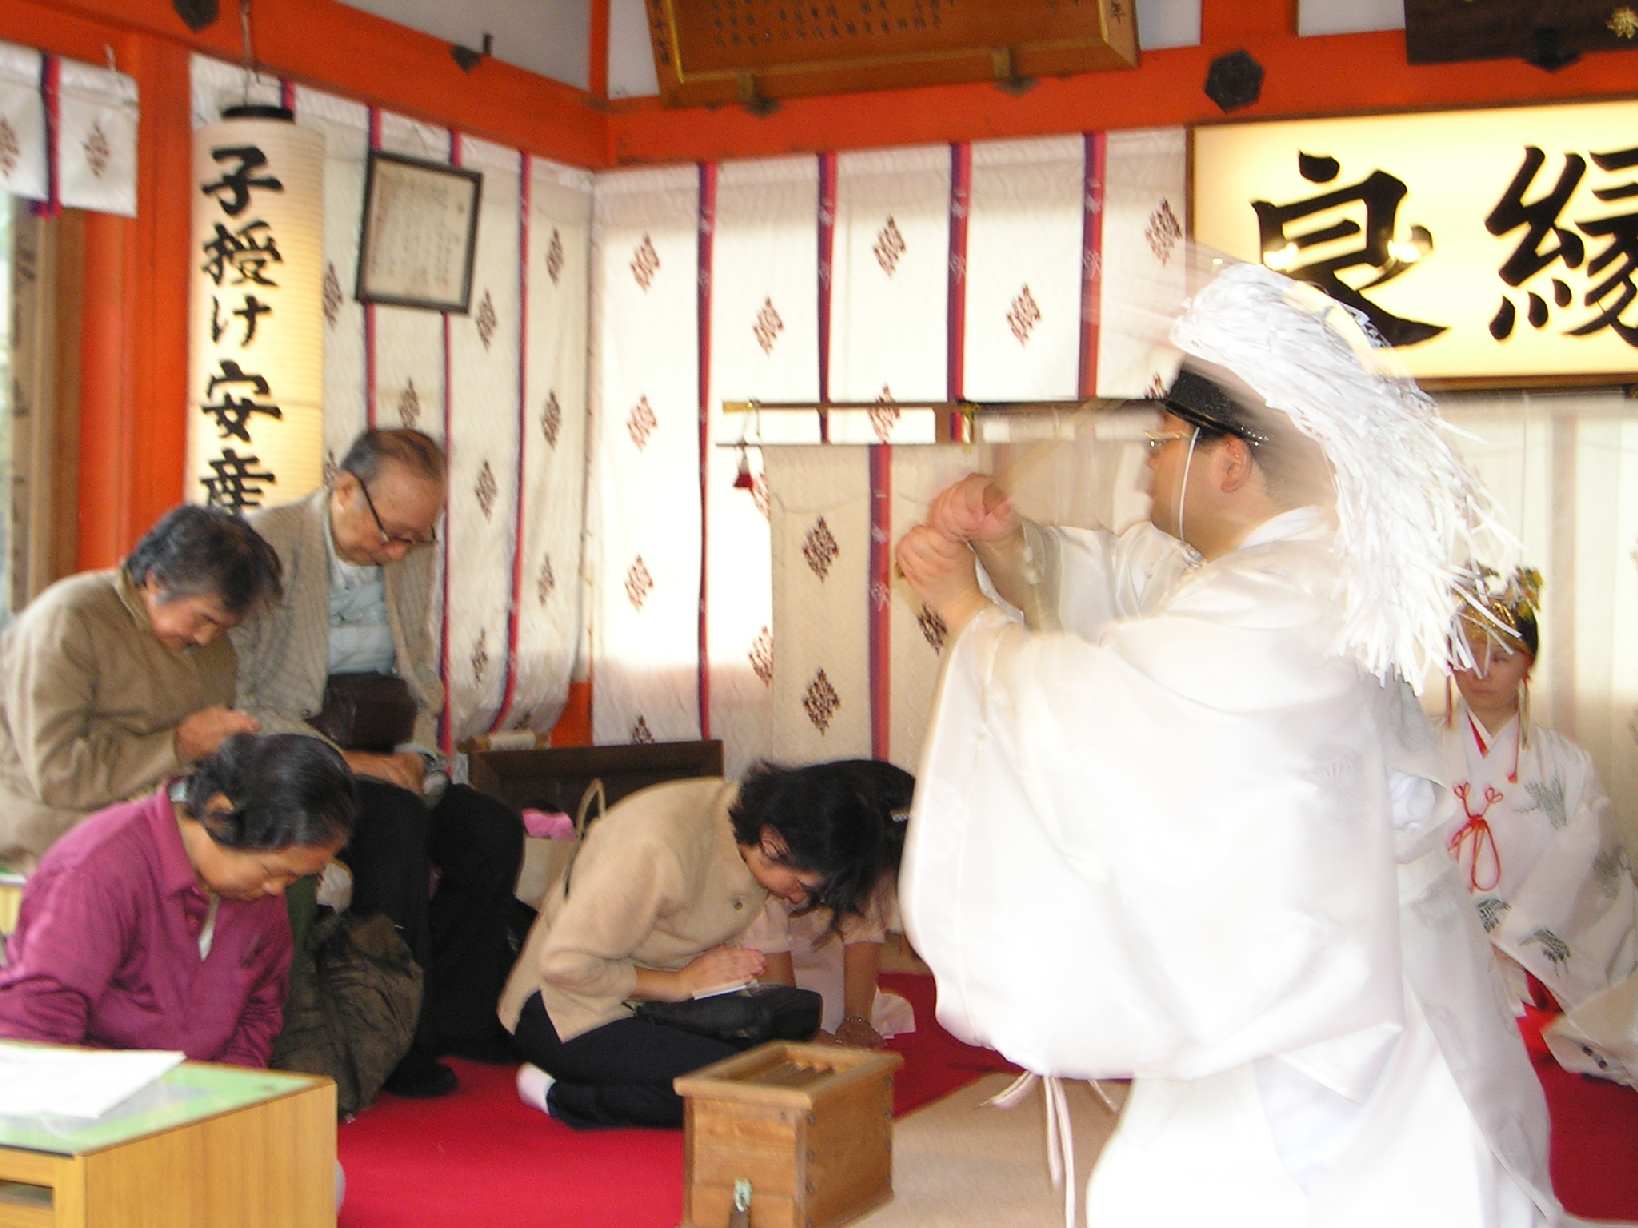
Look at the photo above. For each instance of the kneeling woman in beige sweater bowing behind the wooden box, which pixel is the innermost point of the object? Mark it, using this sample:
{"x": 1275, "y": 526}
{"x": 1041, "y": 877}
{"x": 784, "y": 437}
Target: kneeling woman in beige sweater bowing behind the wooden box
{"x": 654, "y": 910}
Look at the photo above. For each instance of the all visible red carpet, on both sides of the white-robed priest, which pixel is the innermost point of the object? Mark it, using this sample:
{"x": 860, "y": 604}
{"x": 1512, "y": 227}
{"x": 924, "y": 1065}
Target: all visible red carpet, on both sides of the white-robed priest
{"x": 482, "y": 1158}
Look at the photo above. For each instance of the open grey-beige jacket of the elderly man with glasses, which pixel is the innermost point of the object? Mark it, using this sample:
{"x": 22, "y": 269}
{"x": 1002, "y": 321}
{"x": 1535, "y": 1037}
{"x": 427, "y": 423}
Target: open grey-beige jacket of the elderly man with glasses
{"x": 284, "y": 651}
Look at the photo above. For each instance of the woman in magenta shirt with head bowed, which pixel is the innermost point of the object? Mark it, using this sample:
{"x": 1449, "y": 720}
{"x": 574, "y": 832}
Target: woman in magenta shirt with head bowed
{"x": 161, "y": 924}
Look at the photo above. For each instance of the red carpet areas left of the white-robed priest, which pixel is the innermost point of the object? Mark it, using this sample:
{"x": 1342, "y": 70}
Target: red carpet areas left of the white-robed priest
{"x": 479, "y": 1157}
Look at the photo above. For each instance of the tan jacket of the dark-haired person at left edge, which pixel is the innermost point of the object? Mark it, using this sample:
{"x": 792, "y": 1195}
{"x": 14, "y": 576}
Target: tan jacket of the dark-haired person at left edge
{"x": 89, "y": 708}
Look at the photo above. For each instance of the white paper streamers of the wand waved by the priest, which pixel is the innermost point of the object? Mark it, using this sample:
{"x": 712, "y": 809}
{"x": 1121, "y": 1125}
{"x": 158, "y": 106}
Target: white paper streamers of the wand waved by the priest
{"x": 1409, "y": 513}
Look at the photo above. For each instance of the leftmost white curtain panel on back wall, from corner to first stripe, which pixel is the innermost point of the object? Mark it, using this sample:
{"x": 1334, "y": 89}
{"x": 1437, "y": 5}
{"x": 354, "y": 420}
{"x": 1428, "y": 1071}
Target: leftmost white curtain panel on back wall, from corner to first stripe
{"x": 646, "y": 456}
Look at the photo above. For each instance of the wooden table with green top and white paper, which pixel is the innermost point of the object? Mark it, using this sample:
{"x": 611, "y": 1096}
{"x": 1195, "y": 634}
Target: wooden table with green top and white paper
{"x": 202, "y": 1147}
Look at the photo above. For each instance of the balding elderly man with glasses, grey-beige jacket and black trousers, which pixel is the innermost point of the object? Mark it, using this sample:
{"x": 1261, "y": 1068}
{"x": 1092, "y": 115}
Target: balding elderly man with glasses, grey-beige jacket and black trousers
{"x": 350, "y": 652}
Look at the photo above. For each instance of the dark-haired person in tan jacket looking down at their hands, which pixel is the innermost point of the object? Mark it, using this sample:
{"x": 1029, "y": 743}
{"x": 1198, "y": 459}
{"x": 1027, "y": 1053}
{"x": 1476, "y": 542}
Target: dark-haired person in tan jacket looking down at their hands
{"x": 114, "y": 680}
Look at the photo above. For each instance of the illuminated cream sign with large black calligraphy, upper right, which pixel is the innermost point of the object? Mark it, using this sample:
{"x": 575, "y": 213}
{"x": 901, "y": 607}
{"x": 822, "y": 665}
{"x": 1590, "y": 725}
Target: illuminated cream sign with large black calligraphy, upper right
{"x": 1488, "y": 248}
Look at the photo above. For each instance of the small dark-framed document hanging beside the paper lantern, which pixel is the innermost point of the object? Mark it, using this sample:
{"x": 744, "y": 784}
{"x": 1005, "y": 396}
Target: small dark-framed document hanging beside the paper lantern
{"x": 419, "y": 238}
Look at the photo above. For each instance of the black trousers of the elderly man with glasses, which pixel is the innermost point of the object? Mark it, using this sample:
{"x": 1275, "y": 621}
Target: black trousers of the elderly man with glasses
{"x": 459, "y": 934}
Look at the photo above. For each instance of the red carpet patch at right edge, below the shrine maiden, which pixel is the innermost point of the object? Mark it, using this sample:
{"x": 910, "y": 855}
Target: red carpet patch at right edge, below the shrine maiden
{"x": 1595, "y": 1134}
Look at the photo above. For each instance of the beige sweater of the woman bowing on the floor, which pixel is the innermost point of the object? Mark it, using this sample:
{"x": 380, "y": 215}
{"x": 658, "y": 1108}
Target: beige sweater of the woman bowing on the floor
{"x": 658, "y": 882}
